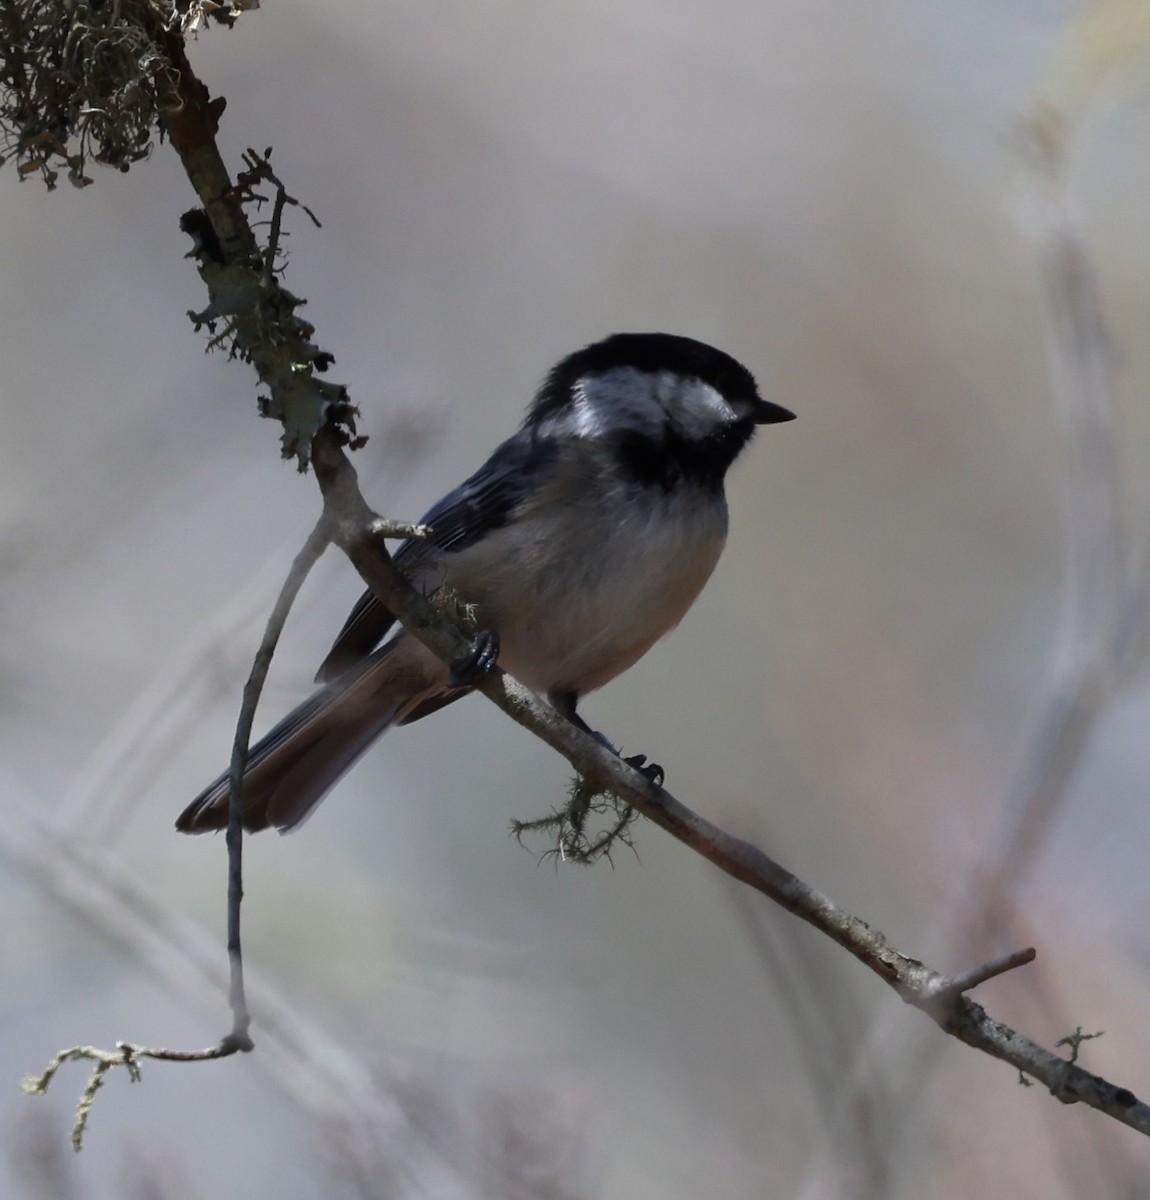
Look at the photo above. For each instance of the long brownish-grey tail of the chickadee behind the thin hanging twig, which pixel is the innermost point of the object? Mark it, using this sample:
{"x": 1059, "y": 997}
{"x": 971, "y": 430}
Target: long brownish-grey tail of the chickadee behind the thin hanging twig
{"x": 296, "y": 765}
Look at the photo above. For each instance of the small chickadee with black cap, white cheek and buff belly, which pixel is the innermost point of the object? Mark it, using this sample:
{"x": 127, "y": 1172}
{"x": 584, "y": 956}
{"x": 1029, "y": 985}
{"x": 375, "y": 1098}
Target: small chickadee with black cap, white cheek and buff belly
{"x": 582, "y": 542}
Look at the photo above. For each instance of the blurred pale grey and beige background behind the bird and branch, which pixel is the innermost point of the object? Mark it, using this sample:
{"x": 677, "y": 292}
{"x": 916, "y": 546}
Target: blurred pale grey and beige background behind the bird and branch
{"x": 917, "y": 680}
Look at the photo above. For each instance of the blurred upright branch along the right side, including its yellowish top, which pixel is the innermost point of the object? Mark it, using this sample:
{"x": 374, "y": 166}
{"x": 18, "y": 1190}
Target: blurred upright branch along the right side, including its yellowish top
{"x": 1105, "y": 634}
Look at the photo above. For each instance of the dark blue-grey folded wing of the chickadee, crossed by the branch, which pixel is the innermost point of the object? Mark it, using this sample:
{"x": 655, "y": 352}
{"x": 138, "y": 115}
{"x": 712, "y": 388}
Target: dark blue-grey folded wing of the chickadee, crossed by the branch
{"x": 487, "y": 501}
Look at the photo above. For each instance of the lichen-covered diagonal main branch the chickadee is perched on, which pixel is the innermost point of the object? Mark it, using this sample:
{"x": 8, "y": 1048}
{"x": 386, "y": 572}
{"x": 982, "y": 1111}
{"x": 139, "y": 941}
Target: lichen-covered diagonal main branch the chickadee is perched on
{"x": 266, "y": 337}
